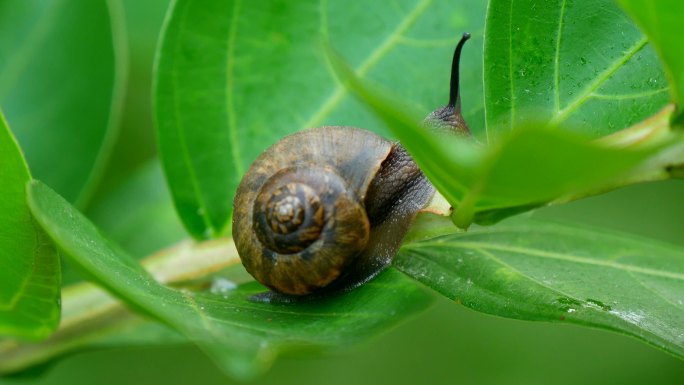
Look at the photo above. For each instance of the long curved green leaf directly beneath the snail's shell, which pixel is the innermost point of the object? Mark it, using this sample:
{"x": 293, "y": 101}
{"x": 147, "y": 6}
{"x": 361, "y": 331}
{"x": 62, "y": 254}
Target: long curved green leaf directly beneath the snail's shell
{"x": 242, "y": 336}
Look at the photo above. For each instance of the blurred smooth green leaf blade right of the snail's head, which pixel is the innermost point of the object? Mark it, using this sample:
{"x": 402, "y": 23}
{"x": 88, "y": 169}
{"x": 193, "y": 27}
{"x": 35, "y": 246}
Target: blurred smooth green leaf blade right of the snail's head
{"x": 534, "y": 166}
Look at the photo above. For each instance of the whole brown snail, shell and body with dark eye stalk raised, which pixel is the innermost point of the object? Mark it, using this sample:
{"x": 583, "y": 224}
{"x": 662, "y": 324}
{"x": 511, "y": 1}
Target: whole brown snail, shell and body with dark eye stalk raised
{"x": 326, "y": 209}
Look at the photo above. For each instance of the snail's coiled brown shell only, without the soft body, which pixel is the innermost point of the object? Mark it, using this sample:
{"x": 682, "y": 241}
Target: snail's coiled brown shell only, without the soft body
{"x": 324, "y": 173}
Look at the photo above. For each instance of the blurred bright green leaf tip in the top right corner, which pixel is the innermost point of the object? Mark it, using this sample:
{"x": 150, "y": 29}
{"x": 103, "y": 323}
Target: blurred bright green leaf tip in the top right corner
{"x": 661, "y": 20}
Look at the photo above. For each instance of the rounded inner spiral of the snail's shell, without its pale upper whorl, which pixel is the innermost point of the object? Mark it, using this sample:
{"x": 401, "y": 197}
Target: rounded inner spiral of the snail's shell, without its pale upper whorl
{"x": 310, "y": 226}
